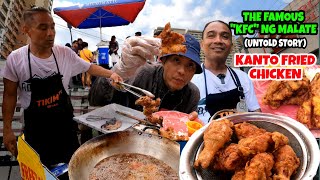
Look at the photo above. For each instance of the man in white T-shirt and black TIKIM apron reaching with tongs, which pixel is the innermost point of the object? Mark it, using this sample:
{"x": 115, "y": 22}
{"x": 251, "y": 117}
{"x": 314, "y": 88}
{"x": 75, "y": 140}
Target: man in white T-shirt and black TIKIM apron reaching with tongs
{"x": 39, "y": 74}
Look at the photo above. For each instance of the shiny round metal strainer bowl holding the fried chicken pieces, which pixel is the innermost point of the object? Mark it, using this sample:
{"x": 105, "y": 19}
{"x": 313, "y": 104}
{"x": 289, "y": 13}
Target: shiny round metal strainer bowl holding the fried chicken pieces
{"x": 300, "y": 139}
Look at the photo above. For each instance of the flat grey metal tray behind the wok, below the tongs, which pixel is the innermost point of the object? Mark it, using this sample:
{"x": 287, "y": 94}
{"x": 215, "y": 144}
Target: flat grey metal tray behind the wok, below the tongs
{"x": 109, "y": 111}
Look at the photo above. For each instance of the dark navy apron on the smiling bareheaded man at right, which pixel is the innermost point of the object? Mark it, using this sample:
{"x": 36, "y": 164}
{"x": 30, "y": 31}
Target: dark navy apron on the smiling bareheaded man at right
{"x": 224, "y": 100}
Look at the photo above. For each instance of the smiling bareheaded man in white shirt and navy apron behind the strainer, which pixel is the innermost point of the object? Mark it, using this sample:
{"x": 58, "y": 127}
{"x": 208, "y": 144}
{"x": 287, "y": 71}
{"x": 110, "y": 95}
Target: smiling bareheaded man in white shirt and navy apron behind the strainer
{"x": 220, "y": 86}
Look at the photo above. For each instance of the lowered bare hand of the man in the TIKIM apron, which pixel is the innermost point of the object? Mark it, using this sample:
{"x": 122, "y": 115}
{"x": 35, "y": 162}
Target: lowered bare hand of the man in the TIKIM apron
{"x": 10, "y": 142}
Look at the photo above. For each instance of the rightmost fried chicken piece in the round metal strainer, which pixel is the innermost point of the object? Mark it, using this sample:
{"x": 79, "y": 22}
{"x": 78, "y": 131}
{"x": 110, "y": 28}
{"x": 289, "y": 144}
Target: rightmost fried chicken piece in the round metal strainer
{"x": 286, "y": 163}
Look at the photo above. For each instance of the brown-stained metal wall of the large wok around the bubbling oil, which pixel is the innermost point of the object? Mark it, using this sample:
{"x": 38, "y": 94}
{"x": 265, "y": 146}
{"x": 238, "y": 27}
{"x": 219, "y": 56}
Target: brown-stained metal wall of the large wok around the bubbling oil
{"x": 130, "y": 141}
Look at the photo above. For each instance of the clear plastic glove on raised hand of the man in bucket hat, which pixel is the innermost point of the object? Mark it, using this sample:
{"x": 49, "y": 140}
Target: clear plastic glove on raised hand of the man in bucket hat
{"x": 135, "y": 52}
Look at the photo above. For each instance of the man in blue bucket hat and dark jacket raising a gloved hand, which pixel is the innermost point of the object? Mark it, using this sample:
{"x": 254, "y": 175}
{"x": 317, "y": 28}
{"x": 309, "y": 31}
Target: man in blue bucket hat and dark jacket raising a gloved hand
{"x": 168, "y": 80}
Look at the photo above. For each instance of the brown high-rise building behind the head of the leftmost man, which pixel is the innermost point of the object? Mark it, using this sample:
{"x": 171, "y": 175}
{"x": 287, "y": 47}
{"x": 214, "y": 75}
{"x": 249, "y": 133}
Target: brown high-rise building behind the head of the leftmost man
{"x": 11, "y": 35}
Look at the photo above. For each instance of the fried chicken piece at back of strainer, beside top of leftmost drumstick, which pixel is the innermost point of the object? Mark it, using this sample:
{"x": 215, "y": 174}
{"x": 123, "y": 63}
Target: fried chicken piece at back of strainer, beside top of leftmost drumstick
{"x": 244, "y": 130}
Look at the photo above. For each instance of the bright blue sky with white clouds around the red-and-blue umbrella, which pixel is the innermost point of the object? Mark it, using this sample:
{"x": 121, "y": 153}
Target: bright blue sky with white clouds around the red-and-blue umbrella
{"x": 185, "y": 14}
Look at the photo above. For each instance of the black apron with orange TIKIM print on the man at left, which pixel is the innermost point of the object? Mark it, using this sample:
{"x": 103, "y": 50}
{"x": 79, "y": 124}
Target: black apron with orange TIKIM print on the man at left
{"x": 49, "y": 127}
